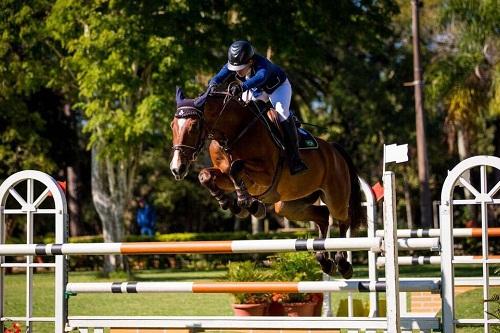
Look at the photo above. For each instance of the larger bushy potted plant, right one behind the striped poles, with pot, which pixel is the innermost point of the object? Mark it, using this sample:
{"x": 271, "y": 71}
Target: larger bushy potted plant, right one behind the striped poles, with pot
{"x": 295, "y": 267}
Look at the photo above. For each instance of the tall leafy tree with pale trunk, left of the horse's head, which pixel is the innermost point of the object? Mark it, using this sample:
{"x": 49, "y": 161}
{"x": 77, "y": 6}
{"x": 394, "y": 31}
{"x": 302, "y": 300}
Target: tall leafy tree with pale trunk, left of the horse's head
{"x": 127, "y": 57}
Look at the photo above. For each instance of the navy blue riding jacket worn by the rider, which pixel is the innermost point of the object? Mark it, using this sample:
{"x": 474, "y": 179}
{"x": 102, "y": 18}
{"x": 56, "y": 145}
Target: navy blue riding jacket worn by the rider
{"x": 264, "y": 75}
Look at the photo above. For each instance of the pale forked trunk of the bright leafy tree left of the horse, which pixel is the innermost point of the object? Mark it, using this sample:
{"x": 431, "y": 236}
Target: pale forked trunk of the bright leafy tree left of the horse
{"x": 112, "y": 185}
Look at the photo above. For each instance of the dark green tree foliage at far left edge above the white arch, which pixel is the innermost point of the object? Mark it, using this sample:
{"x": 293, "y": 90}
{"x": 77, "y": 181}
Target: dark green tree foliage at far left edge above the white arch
{"x": 22, "y": 73}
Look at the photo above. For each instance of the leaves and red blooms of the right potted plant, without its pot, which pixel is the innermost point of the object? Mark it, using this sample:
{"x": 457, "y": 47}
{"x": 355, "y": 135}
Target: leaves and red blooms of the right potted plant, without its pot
{"x": 294, "y": 267}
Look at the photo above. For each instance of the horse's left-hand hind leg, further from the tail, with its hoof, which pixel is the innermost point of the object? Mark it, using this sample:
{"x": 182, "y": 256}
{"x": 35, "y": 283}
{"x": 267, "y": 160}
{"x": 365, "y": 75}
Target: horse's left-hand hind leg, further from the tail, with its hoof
{"x": 304, "y": 210}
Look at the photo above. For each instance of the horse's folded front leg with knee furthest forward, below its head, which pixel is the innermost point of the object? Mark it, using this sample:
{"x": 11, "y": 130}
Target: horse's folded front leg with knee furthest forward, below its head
{"x": 218, "y": 184}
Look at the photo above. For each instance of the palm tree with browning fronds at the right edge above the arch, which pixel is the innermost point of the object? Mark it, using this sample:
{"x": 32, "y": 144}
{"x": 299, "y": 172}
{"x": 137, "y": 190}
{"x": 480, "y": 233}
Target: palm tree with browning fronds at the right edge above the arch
{"x": 465, "y": 72}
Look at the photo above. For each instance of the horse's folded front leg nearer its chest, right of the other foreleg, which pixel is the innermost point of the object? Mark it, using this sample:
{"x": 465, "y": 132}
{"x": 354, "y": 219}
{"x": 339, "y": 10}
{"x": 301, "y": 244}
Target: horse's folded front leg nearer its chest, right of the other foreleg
{"x": 245, "y": 200}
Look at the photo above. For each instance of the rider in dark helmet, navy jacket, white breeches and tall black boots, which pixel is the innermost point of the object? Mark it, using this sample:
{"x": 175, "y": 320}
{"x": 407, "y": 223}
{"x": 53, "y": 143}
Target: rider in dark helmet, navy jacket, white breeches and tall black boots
{"x": 264, "y": 81}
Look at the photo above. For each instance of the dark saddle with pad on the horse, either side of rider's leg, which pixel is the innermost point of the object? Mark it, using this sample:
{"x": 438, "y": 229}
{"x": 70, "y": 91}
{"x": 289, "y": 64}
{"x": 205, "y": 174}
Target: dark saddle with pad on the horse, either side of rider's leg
{"x": 306, "y": 139}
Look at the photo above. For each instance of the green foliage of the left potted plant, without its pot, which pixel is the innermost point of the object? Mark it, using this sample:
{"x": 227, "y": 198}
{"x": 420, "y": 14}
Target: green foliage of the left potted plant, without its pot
{"x": 247, "y": 271}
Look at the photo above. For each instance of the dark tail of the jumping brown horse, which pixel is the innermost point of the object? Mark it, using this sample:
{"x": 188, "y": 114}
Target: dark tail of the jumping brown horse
{"x": 356, "y": 215}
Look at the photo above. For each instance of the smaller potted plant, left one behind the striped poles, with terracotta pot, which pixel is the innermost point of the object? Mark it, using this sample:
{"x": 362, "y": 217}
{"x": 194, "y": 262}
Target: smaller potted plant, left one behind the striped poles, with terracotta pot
{"x": 247, "y": 304}
